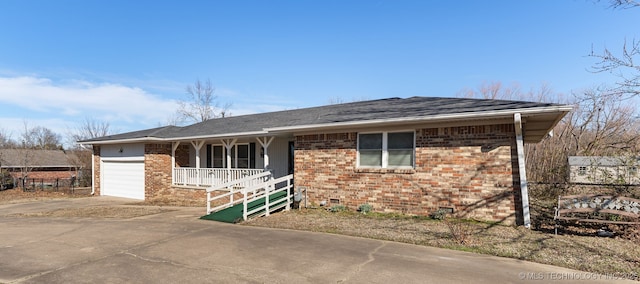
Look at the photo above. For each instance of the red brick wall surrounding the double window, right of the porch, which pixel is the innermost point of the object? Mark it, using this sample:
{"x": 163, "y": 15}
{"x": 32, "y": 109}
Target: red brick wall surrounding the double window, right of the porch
{"x": 452, "y": 170}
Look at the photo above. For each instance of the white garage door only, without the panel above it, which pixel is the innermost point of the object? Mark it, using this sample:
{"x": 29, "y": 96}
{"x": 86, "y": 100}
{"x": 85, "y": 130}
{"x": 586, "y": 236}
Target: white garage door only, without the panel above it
{"x": 123, "y": 179}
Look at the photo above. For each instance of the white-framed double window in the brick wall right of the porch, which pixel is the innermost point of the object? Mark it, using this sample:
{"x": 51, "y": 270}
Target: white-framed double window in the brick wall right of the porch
{"x": 386, "y": 149}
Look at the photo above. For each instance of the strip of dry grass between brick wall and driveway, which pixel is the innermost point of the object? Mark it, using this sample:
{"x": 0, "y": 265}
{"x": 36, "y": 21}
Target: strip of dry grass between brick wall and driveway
{"x": 586, "y": 253}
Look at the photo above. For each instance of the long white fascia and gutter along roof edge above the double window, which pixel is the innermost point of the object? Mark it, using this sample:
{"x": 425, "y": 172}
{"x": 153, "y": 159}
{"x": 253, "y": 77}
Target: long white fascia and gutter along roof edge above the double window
{"x": 436, "y": 118}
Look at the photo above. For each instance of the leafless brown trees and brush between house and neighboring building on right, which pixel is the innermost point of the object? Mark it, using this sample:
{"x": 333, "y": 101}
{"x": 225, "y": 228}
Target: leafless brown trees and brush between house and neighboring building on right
{"x": 600, "y": 125}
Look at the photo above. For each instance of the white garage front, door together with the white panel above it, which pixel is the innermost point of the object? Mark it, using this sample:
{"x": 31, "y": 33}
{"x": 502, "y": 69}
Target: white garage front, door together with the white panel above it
{"x": 123, "y": 171}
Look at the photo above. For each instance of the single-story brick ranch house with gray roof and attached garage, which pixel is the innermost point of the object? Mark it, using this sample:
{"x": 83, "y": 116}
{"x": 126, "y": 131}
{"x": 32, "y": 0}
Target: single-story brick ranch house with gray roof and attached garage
{"x": 414, "y": 155}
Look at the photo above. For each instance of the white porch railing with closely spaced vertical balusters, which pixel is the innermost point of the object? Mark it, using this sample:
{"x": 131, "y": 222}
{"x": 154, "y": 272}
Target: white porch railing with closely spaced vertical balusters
{"x": 210, "y": 176}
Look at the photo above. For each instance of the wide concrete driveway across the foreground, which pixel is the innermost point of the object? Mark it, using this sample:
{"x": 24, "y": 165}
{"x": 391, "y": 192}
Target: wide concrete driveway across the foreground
{"x": 177, "y": 247}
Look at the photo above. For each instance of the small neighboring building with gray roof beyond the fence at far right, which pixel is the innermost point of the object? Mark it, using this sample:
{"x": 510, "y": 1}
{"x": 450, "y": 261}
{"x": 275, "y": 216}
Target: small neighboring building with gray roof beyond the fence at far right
{"x": 604, "y": 170}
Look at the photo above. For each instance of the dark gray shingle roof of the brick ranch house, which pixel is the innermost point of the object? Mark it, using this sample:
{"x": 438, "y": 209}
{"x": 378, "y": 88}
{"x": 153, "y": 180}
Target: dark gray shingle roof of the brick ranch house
{"x": 392, "y": 108}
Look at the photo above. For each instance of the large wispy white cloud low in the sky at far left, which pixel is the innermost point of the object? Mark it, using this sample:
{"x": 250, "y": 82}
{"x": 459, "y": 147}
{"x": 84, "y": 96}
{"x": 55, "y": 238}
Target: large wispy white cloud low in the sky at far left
{"x": 84, "y": 99}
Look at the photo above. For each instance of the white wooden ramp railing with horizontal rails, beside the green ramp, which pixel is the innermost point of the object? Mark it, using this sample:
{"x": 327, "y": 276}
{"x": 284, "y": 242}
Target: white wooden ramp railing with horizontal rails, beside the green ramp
{"x": 263, "y": 186}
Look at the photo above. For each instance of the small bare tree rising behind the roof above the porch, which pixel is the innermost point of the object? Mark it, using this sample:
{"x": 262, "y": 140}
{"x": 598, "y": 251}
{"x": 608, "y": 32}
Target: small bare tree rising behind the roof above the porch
{"x": 201, "y": 103}
